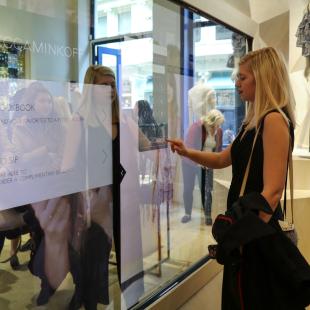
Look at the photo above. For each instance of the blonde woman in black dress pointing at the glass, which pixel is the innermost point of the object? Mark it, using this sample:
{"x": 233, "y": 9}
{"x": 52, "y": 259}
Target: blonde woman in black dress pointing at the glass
{"x": 263, "y": 276}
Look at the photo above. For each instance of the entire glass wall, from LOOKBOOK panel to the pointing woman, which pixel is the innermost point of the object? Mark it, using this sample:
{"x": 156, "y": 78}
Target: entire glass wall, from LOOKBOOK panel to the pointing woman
{"x": 95, "y": 200}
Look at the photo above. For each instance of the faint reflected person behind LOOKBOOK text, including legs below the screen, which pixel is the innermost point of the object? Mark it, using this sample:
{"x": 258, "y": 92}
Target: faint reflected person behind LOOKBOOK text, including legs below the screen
{"x": 36, "y": 135}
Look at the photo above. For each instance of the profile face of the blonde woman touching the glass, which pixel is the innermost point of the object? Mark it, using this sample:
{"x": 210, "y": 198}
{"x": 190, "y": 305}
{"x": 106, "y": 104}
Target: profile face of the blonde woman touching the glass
{"x": 245, "y": 83}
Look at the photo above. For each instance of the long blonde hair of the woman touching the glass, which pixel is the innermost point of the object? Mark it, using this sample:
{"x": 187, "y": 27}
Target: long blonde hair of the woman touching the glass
{"x": 273, "y": 90}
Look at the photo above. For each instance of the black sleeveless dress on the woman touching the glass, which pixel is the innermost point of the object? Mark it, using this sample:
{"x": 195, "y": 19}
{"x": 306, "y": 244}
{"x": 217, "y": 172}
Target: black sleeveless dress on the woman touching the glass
{"x": 238, "y": 279}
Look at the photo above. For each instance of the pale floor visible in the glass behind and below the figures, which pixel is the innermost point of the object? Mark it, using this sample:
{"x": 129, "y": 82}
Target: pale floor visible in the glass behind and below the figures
{"x": 181, "y": 245}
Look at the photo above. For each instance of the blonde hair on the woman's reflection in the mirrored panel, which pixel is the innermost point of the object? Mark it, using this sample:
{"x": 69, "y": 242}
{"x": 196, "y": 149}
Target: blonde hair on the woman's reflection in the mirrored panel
{"x": 93, "y": 73}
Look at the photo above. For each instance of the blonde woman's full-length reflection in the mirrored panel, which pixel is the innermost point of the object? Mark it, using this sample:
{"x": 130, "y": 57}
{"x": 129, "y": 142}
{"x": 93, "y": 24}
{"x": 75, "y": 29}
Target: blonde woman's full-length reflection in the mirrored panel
{"x": 99, "y": 112}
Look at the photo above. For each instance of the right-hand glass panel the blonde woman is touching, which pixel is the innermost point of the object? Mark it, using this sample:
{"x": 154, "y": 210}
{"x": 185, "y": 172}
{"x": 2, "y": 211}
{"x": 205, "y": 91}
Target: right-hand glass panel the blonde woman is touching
{"x": 167, "y": 204}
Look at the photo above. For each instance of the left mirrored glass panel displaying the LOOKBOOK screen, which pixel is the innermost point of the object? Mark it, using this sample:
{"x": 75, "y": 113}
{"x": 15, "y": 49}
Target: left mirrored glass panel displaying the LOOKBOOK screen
{"x": 55, "y": 160}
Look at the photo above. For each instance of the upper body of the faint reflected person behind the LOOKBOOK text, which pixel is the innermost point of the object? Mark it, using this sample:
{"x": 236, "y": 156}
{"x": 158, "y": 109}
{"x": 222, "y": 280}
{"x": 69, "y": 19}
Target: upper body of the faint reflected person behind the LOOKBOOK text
{"x": 36, "y": 134}
